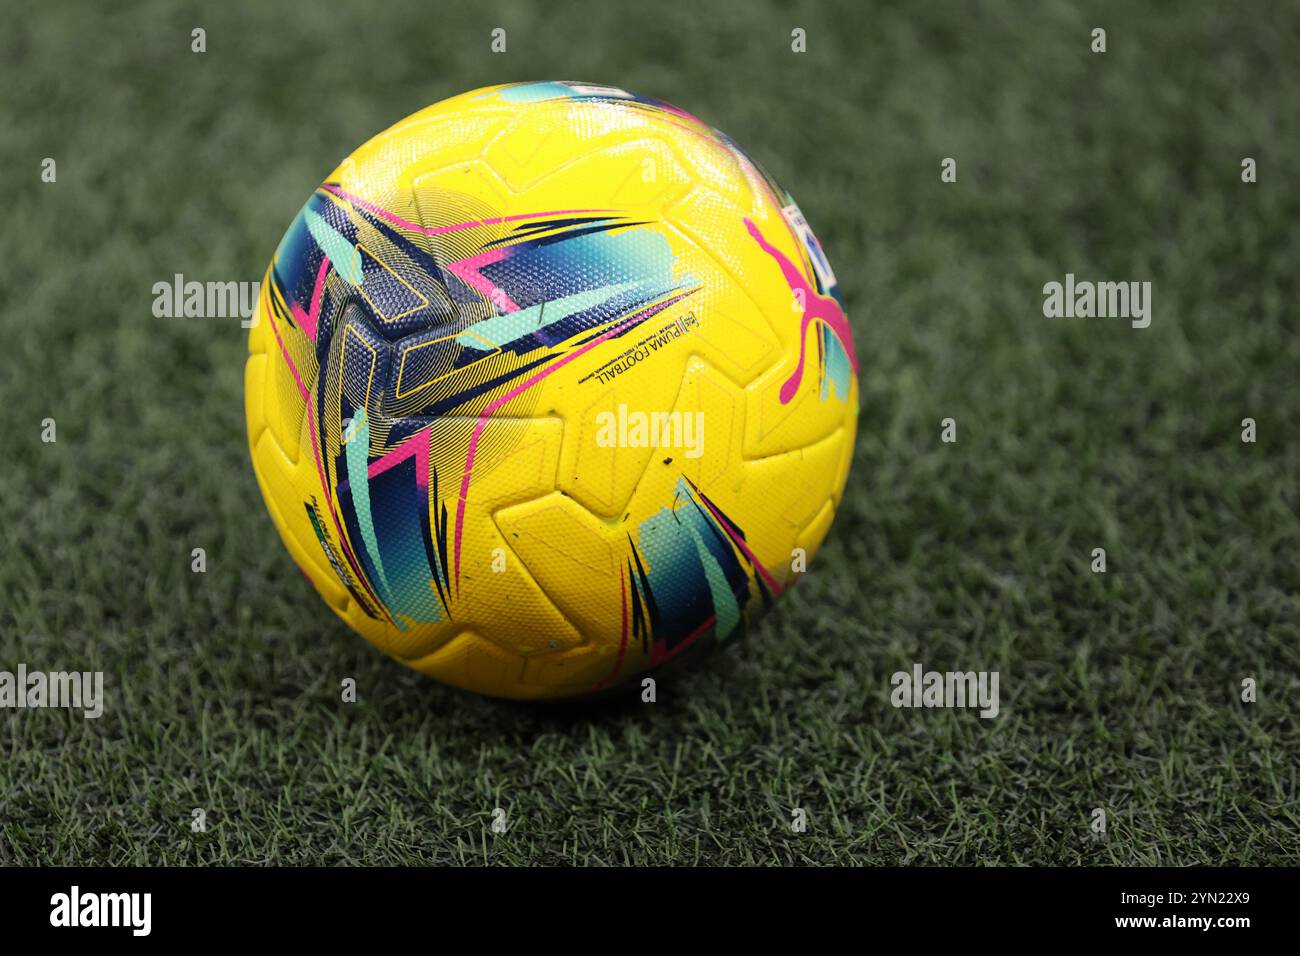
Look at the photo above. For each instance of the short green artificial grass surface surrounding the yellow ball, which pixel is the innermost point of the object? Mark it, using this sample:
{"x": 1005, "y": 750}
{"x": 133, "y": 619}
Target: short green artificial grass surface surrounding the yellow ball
{"x": 1119, "y": 691}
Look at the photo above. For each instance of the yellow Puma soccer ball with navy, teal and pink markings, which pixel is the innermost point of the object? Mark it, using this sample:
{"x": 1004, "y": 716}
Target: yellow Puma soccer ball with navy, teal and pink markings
{"x": 549, "y": 386}
